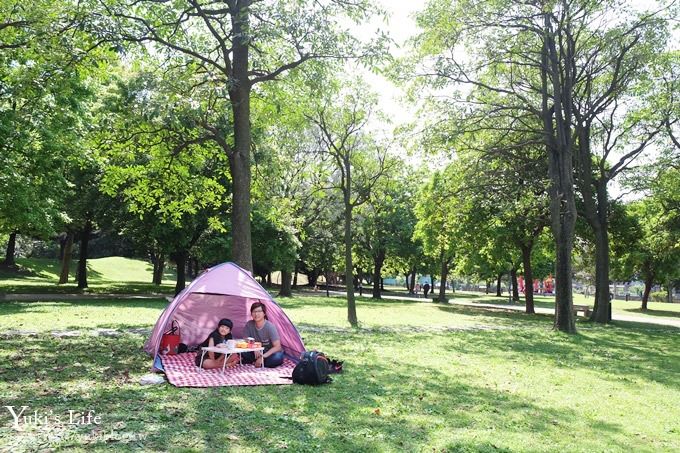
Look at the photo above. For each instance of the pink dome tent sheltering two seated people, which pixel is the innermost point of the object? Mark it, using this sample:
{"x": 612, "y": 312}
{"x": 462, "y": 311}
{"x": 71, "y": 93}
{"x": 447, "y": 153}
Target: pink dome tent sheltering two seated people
{"x": 223, "y": 291}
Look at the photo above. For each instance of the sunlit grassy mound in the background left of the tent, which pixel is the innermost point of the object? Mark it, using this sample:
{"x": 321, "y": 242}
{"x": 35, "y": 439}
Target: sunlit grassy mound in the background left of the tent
{"x": 105, "y": 275}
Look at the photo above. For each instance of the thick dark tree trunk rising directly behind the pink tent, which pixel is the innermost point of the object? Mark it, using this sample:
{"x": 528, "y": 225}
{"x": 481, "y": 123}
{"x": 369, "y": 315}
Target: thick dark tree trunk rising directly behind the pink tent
{"x": 239, "y": 159}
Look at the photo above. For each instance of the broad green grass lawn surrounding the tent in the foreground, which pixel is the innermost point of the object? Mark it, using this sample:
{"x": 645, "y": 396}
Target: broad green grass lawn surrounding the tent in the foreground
{"x": 418, "y": 377}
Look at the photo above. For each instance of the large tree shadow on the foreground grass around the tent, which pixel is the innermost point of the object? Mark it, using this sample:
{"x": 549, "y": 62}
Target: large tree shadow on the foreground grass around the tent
{"x": 377, "y": 405}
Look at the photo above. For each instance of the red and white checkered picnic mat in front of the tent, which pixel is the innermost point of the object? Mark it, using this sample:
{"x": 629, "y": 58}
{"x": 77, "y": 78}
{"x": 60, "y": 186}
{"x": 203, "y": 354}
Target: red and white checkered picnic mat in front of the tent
{"x": 182, "y": 371}
